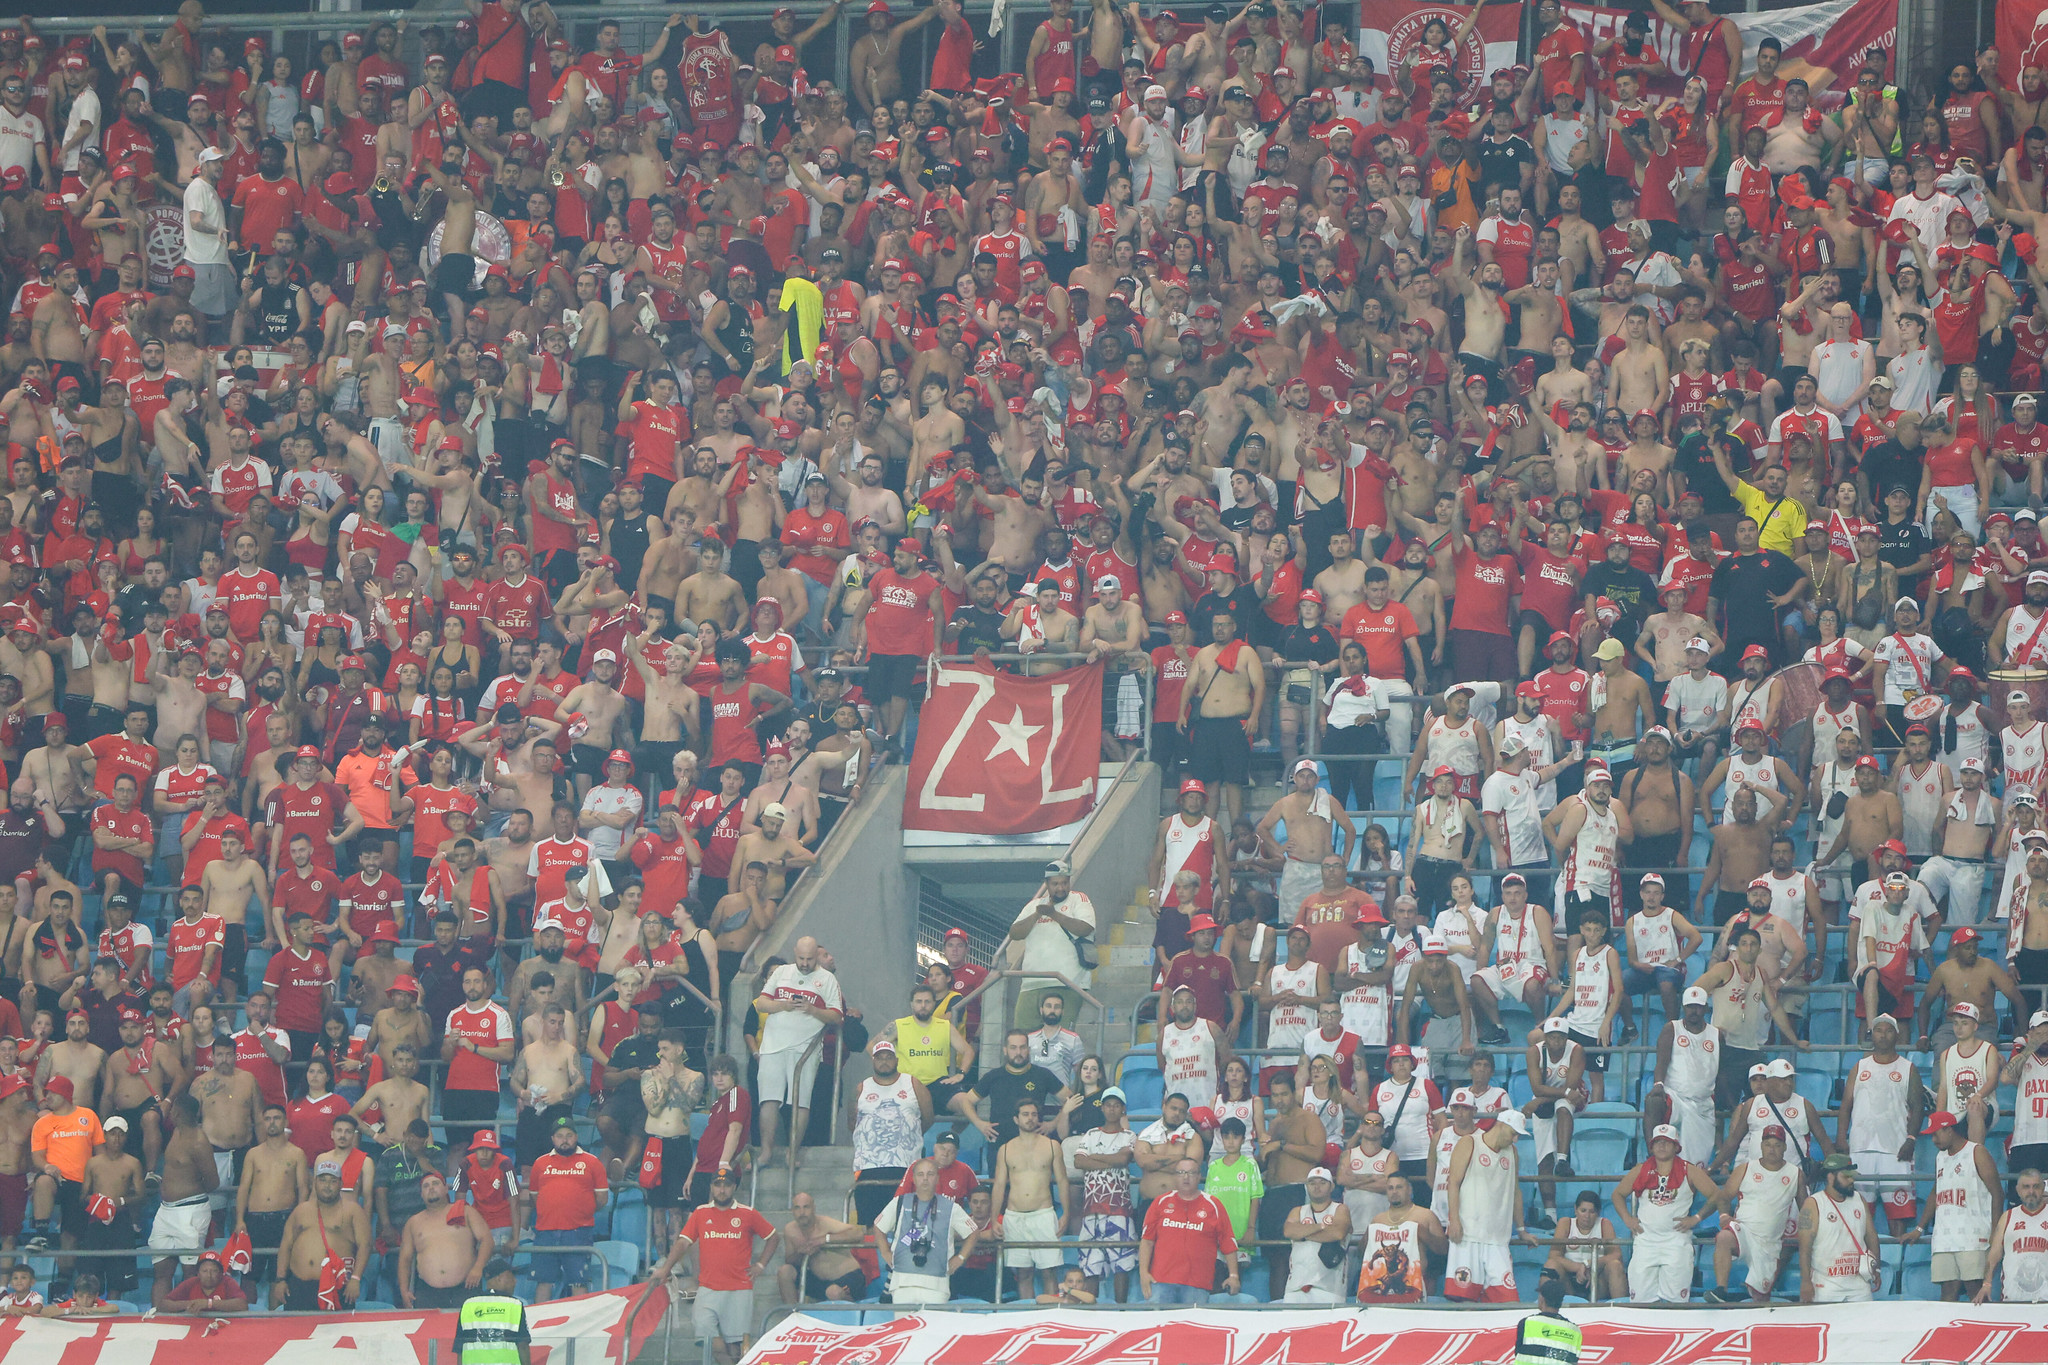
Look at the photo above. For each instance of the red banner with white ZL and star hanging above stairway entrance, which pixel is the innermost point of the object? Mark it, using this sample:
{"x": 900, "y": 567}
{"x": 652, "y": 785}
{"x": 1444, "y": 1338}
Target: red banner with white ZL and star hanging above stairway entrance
{"x": 1002, "y": 754}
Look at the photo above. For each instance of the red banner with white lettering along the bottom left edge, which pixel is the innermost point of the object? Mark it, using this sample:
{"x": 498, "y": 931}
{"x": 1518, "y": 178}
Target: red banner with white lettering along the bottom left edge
{"x": 593, "y": 1329}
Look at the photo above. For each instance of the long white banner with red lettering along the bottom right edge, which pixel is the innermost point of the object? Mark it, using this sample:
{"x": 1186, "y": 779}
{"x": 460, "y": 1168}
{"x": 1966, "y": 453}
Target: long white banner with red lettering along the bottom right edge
{"x": 1816, "y": 1335}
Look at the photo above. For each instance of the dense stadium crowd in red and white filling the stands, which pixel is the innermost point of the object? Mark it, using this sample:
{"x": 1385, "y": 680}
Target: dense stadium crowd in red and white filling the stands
{"x": 497, "y": 494}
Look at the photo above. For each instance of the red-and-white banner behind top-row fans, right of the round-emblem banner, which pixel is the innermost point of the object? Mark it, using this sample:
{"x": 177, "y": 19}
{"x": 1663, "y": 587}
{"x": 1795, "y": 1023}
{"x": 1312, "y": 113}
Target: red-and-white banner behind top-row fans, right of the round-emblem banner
{"x": 1824, "y": 44}
